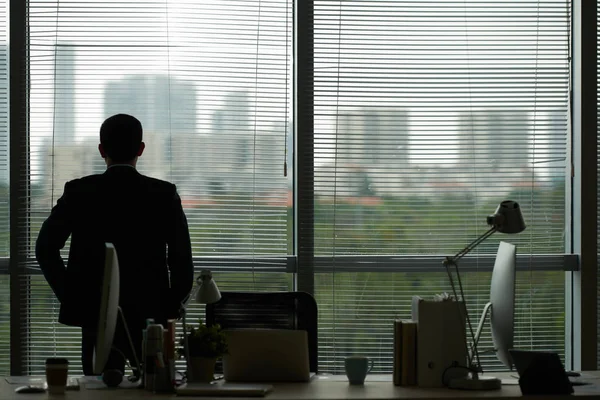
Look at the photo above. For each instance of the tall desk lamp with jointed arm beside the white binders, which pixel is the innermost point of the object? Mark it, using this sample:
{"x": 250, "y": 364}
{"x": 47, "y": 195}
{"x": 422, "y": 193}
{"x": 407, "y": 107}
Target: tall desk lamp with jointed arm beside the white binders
{"x": 506, "y": 219}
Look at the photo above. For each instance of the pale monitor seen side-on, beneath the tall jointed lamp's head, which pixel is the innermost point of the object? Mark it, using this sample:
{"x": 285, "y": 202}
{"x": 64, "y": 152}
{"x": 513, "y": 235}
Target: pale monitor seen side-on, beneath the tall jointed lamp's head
{"x": 502, "y": 303}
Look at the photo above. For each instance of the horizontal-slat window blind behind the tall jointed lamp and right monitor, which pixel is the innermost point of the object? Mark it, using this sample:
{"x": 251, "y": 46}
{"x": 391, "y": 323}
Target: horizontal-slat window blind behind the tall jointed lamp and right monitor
{"x": 427, "y": 115}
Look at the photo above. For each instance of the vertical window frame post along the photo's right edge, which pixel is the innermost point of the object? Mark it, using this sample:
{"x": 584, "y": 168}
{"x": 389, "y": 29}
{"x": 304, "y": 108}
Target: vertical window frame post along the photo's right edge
{"x": 580, "y": 285}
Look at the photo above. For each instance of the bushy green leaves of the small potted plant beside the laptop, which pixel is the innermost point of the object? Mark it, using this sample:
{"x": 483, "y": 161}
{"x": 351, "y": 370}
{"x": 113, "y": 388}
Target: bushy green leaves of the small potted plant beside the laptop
{"x": 205, "y": 341}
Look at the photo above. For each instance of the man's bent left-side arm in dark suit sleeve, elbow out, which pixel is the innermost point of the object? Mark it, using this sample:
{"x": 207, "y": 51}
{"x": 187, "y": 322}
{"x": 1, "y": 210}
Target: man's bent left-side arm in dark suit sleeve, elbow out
{"x": 52, "y": 237}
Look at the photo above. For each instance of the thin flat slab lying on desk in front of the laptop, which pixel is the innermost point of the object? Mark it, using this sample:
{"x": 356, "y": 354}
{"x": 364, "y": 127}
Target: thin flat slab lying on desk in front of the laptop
{"x": 223, "y": 389}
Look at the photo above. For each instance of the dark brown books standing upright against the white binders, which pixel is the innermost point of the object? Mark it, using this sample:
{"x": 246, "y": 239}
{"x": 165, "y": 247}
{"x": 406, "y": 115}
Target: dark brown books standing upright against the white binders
{"x": 405, "y": 352}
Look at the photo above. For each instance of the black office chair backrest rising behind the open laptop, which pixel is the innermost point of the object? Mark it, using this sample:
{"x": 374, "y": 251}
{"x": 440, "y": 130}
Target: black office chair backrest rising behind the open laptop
{"x": 274, "y": 310}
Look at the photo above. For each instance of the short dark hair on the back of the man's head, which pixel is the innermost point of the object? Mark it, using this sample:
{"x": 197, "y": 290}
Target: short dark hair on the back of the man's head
{"x": 121, "y": 137}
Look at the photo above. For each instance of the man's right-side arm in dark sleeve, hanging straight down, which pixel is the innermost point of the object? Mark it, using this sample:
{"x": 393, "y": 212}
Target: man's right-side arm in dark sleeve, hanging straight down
{"x": 180, "y": 261}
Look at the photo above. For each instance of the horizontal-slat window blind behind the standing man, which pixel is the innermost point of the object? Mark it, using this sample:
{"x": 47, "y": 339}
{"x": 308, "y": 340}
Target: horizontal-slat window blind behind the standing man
{"x": 210, "y": 82}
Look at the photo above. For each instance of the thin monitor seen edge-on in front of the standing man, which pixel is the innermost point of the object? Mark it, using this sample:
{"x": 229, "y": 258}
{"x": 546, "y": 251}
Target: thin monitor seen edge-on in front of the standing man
{"x": 109, "y": 306}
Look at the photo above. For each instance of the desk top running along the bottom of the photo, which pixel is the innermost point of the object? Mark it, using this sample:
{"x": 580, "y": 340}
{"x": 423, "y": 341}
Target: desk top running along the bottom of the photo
{"x": 332, "y": 388}
